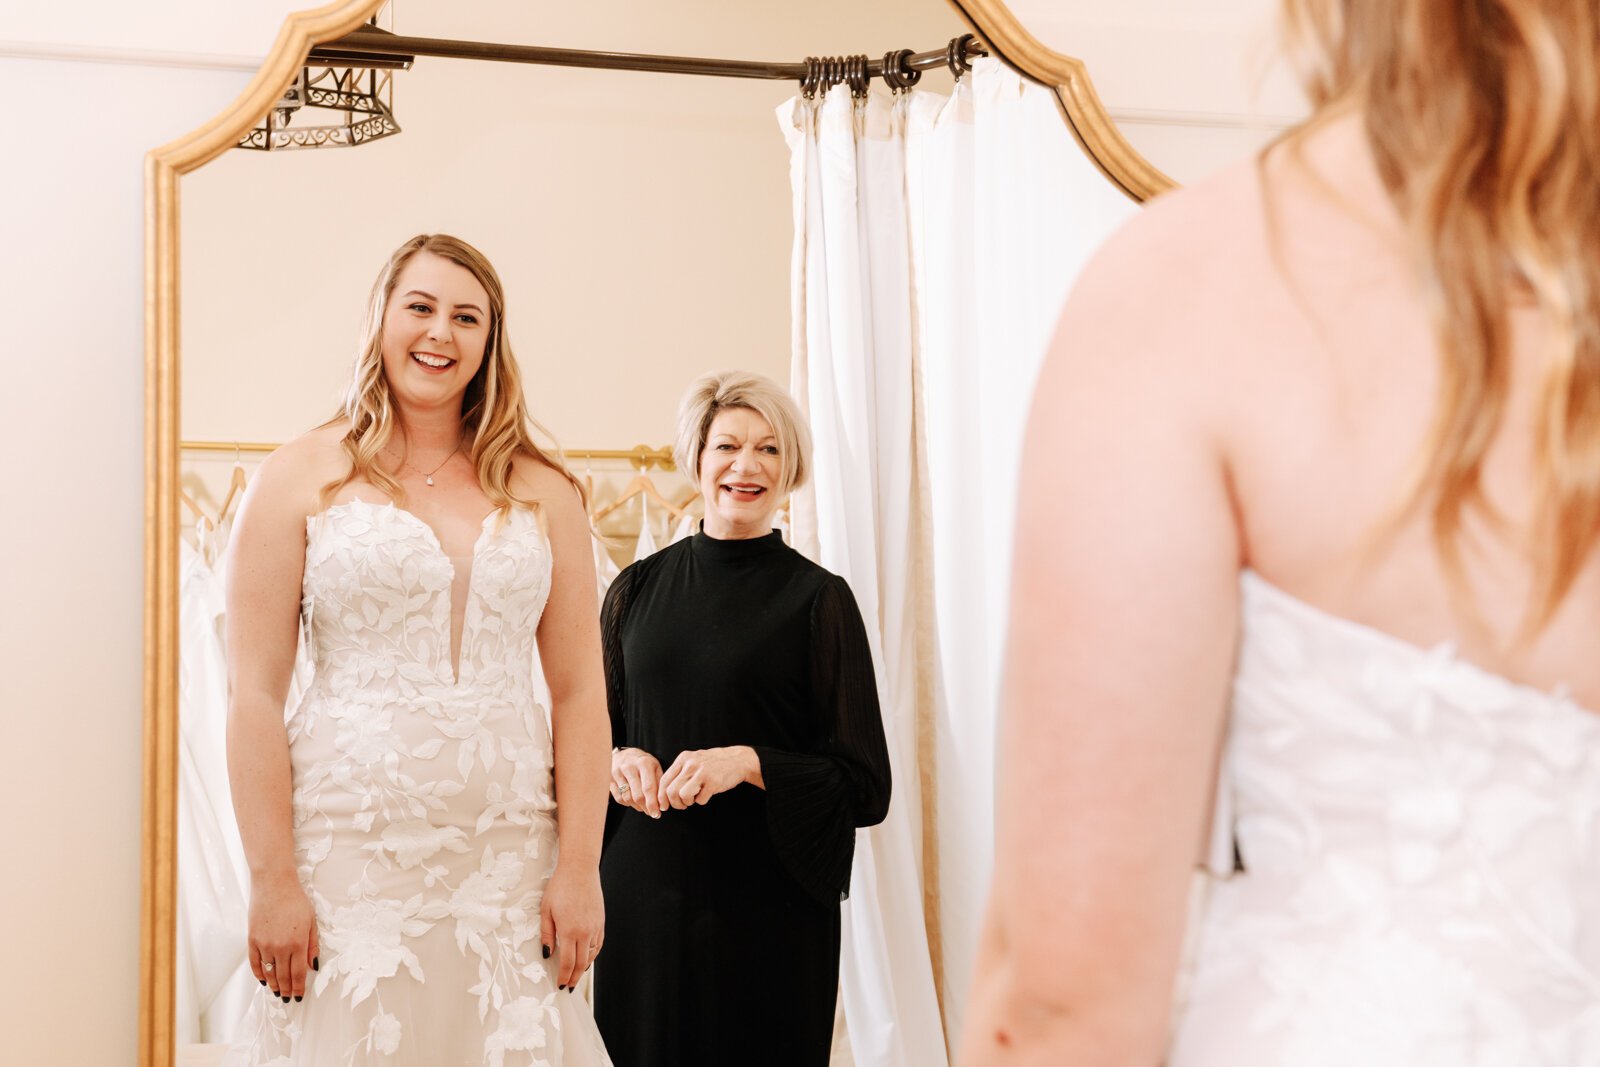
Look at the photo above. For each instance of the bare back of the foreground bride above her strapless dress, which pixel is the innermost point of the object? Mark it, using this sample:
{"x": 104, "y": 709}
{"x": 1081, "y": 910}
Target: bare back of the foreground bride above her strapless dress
{"x": 1326, "y": 380}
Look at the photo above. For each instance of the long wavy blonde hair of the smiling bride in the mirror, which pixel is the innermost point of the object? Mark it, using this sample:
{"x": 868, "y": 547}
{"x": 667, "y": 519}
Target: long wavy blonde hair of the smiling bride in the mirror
{"x": 494, "y": 412}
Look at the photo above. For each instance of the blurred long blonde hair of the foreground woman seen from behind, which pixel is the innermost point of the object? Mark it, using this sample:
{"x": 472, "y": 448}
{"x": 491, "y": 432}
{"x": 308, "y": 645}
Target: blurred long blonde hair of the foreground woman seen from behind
{"x": 1484, "y": 119}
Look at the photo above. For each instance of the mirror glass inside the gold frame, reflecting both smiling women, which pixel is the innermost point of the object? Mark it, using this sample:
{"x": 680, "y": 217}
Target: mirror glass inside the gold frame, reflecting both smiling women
{"x": 394, "y": 641}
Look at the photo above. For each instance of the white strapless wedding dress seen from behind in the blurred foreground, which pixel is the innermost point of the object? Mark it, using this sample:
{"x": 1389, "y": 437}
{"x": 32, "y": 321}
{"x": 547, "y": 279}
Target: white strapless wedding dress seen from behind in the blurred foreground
{"x": 1422, "y": 844}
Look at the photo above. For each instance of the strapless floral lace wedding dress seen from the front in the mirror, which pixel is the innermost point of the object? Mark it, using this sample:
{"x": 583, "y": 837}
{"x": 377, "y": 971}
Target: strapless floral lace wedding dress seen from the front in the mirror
{"x": 425, "y": 817}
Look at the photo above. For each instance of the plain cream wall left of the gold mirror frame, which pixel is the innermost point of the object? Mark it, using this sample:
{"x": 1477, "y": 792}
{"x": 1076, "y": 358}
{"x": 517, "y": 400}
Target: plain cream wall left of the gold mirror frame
{"x": 71, "y": 426}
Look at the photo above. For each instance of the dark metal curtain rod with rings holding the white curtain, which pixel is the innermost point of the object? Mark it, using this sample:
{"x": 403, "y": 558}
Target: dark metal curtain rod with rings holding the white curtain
{"x": 370, "y": 44}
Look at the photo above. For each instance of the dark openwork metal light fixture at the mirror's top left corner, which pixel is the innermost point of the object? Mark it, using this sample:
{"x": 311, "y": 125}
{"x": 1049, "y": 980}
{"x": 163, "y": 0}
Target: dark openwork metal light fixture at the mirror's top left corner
{"x": 338, "y": 100}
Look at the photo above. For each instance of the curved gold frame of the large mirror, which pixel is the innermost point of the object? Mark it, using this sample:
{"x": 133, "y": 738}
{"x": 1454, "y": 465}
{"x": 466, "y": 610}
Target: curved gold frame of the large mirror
{"x": 991, "y": 20}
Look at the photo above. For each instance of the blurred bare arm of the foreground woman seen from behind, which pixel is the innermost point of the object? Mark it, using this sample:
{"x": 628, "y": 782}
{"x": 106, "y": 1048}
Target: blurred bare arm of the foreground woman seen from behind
{"x": 1121, "y": 647}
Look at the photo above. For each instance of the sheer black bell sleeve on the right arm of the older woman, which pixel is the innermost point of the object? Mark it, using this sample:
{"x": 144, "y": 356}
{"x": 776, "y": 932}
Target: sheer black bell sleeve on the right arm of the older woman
{"x": 815, "y": 801}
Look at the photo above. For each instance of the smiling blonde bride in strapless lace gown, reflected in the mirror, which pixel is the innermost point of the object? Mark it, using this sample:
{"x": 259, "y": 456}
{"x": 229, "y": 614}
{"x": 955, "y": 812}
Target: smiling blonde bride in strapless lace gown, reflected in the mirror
{"x": 425, "y": 889}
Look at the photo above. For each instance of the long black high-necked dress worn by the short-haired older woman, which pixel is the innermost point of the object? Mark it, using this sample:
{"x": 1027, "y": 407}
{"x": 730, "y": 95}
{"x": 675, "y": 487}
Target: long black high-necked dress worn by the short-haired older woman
{"x": 722, "y": 919}
